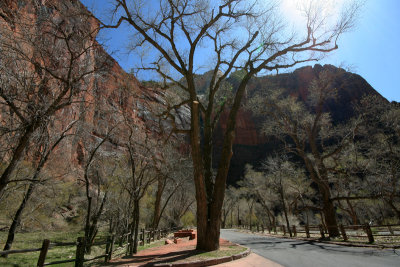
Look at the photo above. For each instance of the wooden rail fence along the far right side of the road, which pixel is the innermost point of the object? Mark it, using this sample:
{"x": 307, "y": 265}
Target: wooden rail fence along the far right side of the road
{"x": 382, "y": 234}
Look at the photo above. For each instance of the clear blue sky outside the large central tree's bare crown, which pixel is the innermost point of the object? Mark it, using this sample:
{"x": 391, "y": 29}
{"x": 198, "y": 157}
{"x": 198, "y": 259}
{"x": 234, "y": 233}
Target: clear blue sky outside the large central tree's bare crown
{"x": 372, "y": 49}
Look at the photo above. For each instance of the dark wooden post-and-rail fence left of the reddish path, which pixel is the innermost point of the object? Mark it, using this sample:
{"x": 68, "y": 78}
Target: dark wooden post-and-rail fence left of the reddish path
{"x": 145, "y": 236}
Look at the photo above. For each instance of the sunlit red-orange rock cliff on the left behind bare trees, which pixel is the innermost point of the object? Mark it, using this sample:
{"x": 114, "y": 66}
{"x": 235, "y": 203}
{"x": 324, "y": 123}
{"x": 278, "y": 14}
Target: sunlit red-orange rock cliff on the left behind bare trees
{"x": 108, "y": 90}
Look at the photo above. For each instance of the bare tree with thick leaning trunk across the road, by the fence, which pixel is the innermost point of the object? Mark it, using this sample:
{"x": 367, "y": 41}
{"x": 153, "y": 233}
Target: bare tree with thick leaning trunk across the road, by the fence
{"x": 312, "y": 136}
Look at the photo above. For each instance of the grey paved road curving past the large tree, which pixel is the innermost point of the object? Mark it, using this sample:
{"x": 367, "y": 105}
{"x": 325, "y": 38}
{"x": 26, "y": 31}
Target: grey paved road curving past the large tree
{"x": 298, "y": 253}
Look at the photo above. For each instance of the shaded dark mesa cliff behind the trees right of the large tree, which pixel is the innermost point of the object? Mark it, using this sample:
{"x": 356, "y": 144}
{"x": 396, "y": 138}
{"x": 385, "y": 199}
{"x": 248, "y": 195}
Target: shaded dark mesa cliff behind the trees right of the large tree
{"x": 251, "y": 146}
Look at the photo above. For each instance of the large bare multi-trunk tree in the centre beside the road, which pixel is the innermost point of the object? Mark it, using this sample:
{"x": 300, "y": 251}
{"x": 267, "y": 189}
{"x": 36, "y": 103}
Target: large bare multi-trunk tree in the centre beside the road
{"x": 232, "y": 35}
